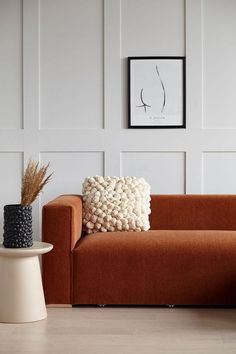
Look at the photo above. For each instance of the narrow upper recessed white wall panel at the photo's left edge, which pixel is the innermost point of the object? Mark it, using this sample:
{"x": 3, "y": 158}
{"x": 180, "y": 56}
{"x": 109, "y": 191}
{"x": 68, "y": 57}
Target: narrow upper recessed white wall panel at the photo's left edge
{"x": 11, "y": 64}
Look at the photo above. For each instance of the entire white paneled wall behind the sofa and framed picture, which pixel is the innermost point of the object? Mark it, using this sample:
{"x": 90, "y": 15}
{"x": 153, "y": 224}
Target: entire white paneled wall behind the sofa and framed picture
{"x": 63, "y": 93}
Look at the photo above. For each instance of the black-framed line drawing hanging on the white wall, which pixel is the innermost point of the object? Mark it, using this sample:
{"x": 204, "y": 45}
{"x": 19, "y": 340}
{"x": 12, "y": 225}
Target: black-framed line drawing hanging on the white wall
{"x": 156, "y": 92}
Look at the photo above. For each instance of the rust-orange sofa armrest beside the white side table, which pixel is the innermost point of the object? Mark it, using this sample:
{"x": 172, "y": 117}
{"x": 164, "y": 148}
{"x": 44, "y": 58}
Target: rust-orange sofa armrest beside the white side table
{"x": 61, "y": 226}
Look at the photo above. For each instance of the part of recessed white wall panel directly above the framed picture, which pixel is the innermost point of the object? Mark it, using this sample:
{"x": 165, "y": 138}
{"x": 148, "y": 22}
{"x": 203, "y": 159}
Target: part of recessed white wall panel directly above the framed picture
{"x": 153, "y": 27}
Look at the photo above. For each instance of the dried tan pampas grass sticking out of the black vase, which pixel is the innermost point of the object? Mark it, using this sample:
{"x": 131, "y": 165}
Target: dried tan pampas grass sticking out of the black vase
{"x": 33, "y": 182}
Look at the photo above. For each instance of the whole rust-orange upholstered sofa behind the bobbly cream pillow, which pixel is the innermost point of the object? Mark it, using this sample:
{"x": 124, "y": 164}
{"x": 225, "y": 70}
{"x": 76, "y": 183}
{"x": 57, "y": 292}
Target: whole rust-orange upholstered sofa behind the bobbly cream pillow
{"x": 187, "y": 258}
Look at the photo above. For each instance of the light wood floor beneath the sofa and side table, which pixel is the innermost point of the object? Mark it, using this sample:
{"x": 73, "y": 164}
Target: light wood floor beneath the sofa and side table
{"x": 124, "y": 330}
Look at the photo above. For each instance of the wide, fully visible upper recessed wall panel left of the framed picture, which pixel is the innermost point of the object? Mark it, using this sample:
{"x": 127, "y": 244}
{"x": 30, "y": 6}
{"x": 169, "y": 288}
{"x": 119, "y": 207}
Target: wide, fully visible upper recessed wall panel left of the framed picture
{"x": 71, "y": 64}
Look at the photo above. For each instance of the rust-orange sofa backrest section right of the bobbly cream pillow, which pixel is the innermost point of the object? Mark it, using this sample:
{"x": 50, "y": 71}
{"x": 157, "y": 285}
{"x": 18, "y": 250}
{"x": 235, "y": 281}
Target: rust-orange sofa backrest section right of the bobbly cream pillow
{"x": 193, "y": 212}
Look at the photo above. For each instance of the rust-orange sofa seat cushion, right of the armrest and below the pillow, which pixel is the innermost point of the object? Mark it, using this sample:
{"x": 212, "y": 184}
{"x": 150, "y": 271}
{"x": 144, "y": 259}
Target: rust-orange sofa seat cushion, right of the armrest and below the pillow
{"x": 156, "y": 267}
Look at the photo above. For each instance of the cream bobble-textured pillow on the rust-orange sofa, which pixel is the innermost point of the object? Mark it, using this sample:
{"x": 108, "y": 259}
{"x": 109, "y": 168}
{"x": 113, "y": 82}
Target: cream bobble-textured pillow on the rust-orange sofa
{"x": 115, "y": 204}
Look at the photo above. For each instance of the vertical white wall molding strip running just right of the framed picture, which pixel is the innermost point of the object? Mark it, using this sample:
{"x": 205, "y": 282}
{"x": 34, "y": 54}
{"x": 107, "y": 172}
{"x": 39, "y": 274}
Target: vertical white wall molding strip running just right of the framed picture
{"x": 193, "y": 42}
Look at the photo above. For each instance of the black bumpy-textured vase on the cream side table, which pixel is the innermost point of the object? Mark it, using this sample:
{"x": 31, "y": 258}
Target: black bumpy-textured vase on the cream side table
{"x": 18, "y": 231}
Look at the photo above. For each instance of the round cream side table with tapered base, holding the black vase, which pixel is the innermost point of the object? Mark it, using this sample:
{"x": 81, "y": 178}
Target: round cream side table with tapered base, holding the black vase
{"x": 21, "y": 290}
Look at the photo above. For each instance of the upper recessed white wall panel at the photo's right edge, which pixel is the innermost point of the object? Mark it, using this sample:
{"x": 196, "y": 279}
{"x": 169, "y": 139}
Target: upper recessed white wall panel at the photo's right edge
{"x": 219, "y": 43}
